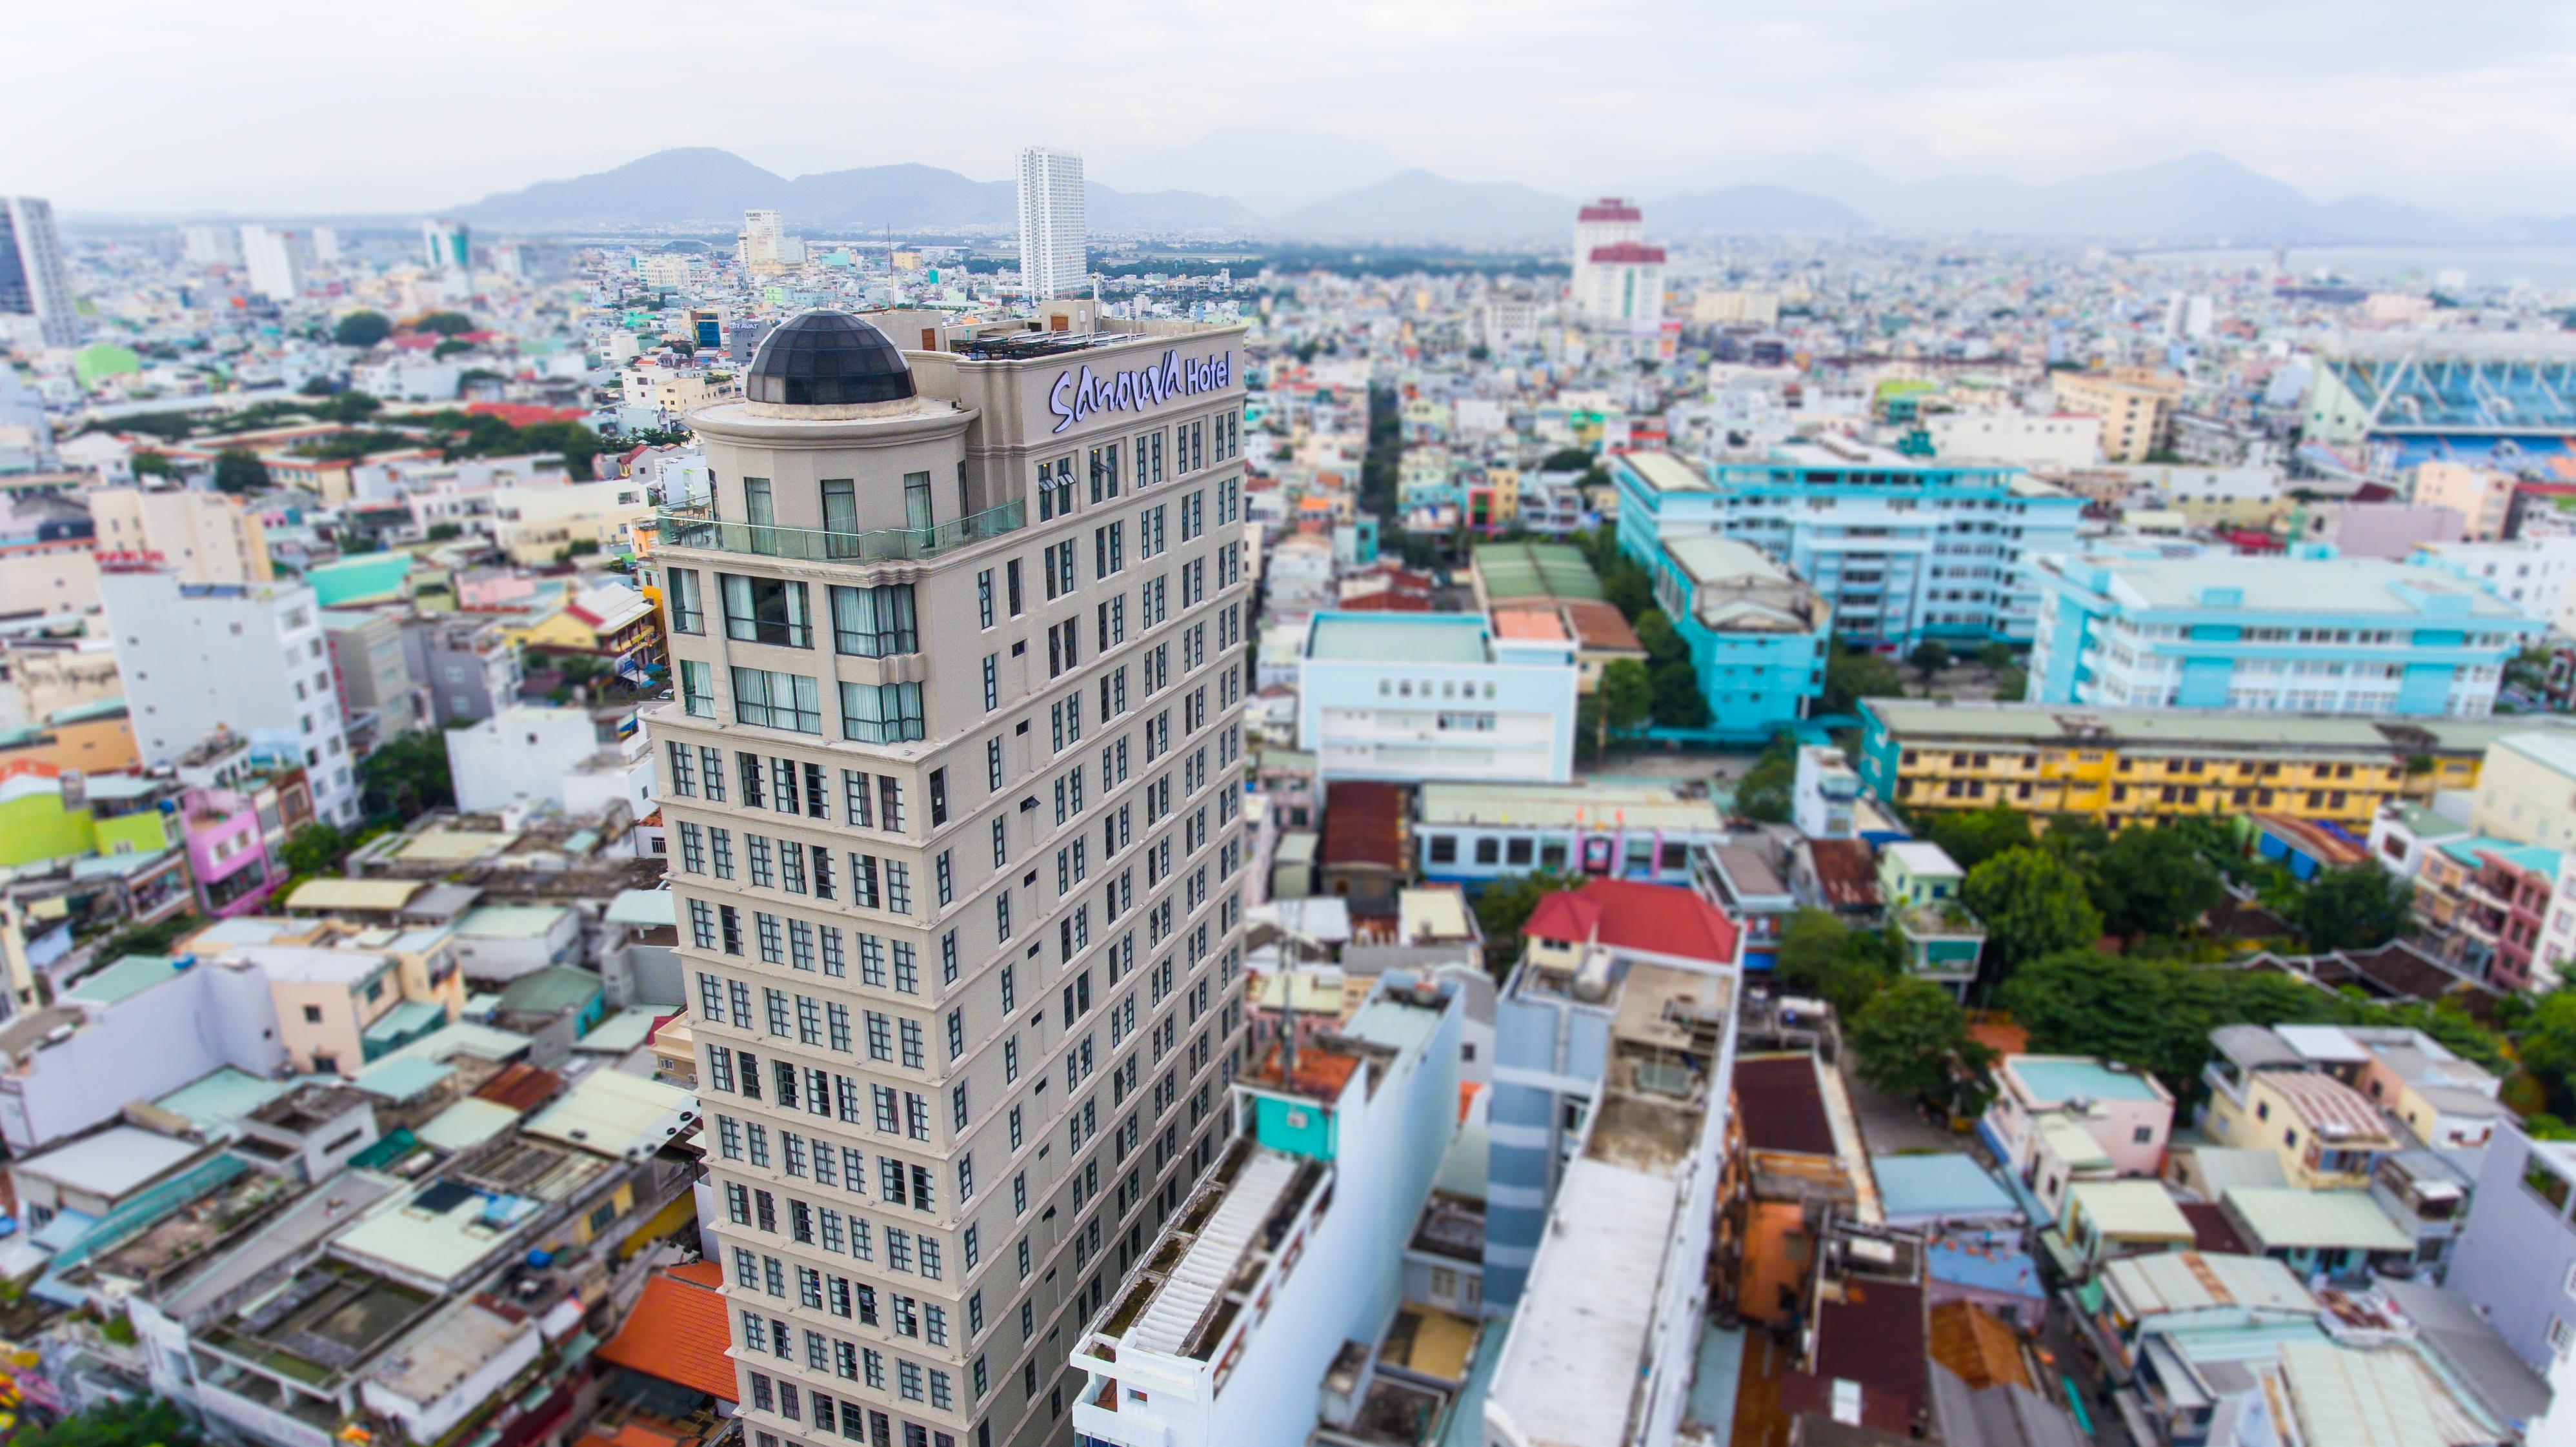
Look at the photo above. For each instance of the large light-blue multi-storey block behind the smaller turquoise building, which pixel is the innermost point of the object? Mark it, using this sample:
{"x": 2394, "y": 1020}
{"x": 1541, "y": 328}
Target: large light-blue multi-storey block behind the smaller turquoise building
{"x": 1902, "y": 550}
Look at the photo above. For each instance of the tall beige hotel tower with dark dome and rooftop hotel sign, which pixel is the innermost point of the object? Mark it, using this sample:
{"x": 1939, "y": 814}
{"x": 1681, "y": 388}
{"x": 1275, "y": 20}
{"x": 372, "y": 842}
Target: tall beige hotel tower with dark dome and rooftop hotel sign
{"x": 954, "y": 792}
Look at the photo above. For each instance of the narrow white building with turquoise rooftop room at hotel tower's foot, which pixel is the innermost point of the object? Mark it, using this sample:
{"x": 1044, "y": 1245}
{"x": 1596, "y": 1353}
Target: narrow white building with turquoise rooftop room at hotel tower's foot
{"x": 1248, "y": 1302}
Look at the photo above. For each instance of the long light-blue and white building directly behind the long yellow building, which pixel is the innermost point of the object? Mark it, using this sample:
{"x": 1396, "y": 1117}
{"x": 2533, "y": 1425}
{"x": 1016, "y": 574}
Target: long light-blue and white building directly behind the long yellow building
{"x": 2271, "y": 637}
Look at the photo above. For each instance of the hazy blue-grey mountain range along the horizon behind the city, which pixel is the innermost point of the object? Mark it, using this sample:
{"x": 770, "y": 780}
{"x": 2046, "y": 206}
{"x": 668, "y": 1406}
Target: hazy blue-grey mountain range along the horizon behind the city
{"x": 2188, "y": 200}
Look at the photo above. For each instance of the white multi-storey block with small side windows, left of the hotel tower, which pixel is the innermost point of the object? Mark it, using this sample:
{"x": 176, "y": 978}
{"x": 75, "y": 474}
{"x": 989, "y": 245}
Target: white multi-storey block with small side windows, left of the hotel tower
{"x": 243, "y": 658}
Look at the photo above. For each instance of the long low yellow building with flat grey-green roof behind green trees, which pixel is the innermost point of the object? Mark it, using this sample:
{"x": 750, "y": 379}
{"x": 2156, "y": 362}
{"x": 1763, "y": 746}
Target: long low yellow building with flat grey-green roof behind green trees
{"x": 2163, "y": 763}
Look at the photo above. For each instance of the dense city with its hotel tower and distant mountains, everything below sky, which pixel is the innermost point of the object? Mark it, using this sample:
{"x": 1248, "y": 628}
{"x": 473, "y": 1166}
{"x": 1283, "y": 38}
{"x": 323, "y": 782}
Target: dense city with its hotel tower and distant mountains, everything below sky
{"x": 1632, "y": 830}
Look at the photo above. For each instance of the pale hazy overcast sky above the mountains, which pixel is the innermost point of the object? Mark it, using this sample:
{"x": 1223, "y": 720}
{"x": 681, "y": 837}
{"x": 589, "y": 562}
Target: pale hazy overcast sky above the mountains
{"x": 308, "y": 107}
